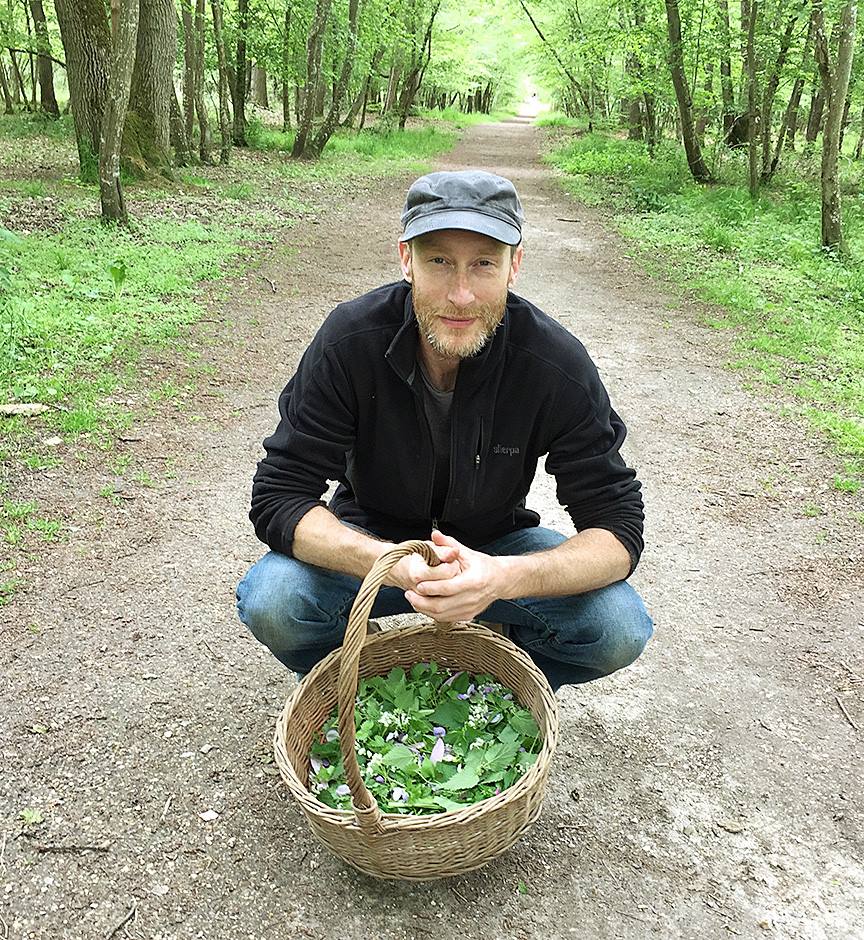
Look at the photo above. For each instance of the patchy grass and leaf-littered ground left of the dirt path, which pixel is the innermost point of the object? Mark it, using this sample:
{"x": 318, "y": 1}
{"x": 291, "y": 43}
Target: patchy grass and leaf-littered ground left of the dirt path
{"x": 82, "y": 304}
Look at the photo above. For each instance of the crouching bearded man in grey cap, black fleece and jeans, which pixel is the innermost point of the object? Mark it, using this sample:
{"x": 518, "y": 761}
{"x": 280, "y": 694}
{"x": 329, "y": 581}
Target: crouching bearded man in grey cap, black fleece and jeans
{"x": 430, "y": 401}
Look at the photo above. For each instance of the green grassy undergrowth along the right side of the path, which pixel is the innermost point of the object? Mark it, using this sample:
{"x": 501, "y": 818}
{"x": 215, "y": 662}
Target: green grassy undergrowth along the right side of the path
{"x": 796, "y": 311}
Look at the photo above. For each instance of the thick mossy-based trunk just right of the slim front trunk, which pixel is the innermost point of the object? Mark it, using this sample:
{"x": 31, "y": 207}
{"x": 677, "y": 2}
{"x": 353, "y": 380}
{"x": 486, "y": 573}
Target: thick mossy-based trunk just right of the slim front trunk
{"x": 147, "y": 136}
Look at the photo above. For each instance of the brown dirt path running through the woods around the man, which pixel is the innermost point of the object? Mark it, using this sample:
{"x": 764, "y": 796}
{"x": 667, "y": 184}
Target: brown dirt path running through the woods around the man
{"x": 713, "y": 789}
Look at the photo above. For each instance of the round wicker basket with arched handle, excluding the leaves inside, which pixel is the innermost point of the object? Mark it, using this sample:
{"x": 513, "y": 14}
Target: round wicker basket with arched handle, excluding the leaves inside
{"x": 388, "y": 845}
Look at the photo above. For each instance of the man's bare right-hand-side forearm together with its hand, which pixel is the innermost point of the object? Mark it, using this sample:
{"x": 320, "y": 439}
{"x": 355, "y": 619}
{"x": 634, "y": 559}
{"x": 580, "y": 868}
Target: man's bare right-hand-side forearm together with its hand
{"x": 592, "y": 559}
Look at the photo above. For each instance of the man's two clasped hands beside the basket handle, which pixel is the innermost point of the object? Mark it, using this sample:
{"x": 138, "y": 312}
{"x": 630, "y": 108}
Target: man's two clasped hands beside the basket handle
{"x": 459, "y": 588}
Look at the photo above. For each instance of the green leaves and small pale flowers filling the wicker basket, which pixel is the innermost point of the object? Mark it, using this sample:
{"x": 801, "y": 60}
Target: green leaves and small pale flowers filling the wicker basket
{"x": 428, "y": 741}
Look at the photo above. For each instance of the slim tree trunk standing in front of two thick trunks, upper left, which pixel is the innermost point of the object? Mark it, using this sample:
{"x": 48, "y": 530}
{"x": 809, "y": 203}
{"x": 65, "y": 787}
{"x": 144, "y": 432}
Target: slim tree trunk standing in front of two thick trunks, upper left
{"x": 124, "y": 18}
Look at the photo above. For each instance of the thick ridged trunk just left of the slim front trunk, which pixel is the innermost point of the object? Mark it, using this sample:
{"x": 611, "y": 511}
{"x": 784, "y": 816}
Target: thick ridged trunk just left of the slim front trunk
{"x": 87, "y": 44}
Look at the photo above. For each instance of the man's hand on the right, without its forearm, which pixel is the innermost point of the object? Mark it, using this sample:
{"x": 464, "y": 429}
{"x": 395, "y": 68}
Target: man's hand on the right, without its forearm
{"x": 460, "y": 596}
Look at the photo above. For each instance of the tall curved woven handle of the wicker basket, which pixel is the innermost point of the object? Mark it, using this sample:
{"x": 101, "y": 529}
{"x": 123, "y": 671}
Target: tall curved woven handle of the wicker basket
{"x": 366, "y": 808}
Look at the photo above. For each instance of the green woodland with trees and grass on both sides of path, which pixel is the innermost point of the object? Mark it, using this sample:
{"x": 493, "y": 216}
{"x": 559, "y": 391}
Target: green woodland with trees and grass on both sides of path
{"x": 724, "y": 139}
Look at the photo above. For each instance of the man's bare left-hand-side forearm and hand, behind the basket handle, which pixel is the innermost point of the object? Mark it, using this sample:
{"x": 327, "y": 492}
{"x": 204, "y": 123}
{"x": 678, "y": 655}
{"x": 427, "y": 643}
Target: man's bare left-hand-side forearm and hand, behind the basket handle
{"x": 321, "y": 539}
